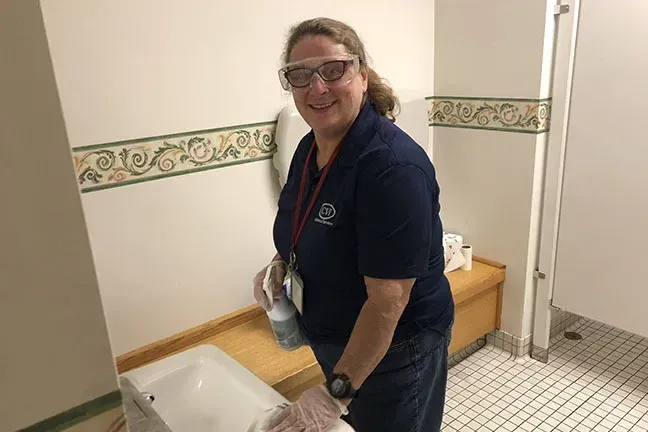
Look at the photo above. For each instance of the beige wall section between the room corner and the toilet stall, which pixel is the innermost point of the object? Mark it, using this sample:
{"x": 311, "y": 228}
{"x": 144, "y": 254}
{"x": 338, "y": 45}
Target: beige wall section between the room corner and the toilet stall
{"x": 492, "y": 180}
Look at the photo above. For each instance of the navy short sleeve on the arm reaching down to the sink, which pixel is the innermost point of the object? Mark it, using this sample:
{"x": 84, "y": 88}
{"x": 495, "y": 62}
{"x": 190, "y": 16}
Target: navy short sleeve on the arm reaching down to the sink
{"x": 394, "y": 223}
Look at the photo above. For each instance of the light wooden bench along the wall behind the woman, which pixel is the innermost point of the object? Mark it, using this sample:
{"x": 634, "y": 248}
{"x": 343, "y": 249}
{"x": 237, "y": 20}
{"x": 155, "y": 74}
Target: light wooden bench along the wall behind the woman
{"x": 246, "y": 334}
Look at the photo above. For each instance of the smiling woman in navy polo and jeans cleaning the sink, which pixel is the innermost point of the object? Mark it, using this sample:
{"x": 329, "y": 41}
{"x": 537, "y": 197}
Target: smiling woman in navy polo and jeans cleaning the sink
{"x": 358, "y": 225}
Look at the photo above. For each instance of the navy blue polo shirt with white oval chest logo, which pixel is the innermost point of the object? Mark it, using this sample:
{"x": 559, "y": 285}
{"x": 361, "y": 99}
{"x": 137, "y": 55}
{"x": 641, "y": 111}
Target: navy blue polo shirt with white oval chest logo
{"x": 376, "y": 215}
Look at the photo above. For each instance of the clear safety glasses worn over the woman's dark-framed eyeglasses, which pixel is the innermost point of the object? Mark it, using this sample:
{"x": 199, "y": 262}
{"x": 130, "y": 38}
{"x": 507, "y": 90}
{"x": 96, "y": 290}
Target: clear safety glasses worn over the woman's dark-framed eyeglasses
{"x": 333, "y": 72}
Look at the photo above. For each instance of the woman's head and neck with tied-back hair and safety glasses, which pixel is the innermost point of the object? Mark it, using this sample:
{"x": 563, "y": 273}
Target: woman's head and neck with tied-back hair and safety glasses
{"x": 327, "y": 71}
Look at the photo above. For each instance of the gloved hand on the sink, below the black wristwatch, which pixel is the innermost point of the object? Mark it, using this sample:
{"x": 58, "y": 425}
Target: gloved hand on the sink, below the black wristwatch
{"x": 315, "y": 411}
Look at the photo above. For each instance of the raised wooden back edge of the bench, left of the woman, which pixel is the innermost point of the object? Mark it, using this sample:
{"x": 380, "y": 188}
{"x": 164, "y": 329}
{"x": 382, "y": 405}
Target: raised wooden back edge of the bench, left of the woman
{"x": 183, "y": 340}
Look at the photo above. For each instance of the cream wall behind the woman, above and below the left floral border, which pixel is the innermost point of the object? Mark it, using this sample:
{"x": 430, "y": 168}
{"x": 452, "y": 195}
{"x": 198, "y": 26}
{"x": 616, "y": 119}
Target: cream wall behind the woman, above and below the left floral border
{"x": 173, "y": 253}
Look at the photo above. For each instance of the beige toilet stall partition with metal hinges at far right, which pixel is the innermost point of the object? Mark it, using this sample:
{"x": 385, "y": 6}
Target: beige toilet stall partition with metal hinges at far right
{"x": 593, "y": 257}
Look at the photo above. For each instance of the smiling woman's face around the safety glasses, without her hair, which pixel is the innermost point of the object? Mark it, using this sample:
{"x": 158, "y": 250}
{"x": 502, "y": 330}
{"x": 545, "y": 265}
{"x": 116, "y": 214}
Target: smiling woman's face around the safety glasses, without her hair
{"x": 328, "y": 107}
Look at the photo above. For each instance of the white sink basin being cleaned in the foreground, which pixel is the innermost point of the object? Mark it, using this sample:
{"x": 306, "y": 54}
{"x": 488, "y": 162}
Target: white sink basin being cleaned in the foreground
{"x": 205, "y": 390}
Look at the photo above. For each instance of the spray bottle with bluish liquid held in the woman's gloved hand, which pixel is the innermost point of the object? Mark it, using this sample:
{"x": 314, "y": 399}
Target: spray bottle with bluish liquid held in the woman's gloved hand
{"x": 282, "y": 315}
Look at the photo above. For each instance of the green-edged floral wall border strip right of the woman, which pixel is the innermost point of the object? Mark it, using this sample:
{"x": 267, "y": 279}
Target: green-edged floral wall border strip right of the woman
{"x": 498, "y": 114}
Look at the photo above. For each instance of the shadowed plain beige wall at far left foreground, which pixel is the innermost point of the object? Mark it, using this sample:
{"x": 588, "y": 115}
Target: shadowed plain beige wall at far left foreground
{"x": 55, "y": 349}
